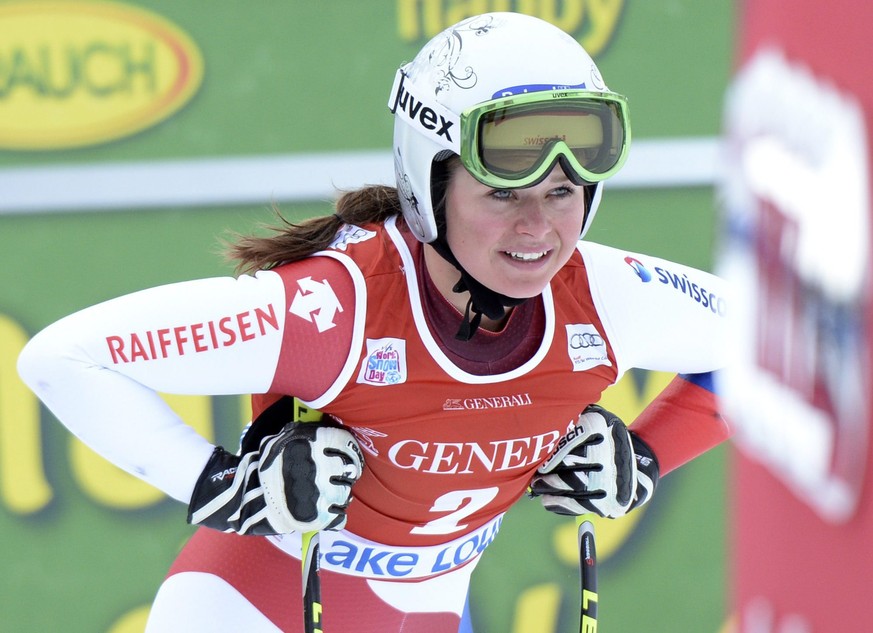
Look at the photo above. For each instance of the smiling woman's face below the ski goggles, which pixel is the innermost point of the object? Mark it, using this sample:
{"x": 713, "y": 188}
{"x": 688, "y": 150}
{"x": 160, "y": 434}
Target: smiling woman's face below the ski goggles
{"x": 513, "y": 240}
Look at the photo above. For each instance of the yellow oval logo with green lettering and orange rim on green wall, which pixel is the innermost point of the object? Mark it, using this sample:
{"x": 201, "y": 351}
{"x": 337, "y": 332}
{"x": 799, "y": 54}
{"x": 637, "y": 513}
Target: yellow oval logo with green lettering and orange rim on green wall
{"x": 83, "y": 73}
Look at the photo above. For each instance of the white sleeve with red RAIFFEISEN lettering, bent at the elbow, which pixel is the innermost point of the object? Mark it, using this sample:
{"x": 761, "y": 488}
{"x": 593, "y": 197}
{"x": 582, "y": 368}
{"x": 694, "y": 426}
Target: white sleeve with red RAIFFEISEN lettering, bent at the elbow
{"x": 100, "y": 370}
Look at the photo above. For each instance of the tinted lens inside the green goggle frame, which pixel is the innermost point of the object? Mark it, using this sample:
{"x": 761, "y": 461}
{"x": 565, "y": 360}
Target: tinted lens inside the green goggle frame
{"x": 515, "y": 141}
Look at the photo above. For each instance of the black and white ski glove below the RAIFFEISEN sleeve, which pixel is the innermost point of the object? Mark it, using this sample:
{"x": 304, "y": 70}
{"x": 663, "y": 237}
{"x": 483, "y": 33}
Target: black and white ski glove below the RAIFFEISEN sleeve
{"x": 298, "y": 480}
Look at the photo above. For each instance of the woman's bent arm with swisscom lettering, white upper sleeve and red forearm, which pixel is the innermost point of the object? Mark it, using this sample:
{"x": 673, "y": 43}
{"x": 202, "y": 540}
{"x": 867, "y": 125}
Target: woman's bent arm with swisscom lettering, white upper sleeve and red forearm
{"x": 664, "y": 316}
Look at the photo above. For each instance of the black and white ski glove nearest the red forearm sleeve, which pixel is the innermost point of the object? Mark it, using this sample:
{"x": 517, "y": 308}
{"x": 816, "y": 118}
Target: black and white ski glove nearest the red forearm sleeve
{"x": 598, "y": 467}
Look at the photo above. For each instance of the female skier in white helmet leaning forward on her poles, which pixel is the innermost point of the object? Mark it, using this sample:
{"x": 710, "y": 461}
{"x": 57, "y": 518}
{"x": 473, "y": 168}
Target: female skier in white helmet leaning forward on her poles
{"x": 453, "y": 330}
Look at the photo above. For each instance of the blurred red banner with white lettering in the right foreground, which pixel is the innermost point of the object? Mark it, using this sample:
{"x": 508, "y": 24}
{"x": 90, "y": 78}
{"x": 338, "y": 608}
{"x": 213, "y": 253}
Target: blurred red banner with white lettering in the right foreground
{"x": 798, "y": 119}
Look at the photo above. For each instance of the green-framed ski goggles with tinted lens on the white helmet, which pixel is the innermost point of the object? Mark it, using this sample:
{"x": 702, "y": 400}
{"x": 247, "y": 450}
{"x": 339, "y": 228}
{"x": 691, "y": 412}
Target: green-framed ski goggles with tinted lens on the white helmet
{"x": 515, "y": 141}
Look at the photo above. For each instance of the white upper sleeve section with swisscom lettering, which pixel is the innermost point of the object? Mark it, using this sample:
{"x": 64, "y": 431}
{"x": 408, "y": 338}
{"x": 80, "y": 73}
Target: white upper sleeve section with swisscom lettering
{"x": 658, "y": 315}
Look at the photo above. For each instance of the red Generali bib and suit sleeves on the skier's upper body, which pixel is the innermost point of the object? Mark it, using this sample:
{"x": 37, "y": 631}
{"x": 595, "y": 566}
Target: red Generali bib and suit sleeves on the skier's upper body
{"x": 451, "y": 439}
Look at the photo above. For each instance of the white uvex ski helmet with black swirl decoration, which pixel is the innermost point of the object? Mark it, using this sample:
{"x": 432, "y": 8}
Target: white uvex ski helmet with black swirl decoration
{"x": 478, "y": 60}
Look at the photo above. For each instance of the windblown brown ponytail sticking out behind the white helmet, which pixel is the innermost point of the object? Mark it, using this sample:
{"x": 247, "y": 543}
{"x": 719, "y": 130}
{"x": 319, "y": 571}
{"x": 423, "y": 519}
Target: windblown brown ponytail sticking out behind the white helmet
{"x": 292, "y": 241}
